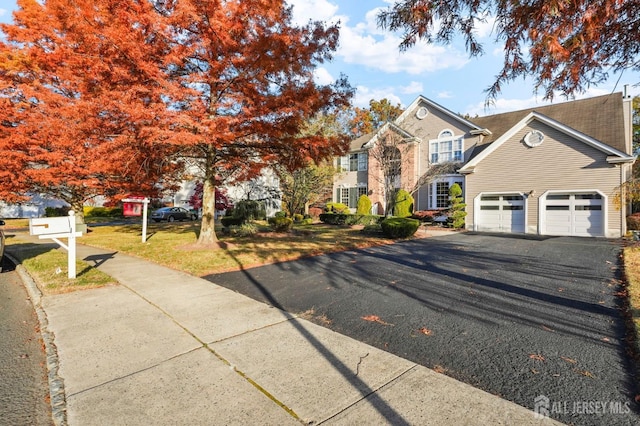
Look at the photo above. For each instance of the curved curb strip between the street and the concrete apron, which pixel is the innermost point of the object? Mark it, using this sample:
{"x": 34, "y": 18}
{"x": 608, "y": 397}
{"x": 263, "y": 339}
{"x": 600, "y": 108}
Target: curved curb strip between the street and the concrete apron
{"x": 56, "y": 383}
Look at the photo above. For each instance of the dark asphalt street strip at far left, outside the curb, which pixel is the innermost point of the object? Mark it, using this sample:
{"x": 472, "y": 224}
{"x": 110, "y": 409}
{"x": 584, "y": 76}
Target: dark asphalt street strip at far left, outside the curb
{"x": 24, "y": 390}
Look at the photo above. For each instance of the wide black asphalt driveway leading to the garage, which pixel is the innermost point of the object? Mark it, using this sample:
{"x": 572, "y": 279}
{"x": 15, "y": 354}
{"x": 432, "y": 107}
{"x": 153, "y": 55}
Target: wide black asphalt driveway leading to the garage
{"x": 520, "y": 318}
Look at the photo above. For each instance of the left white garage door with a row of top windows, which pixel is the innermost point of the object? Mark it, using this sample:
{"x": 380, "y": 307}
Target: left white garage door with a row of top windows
{"x": 501, "y": 213}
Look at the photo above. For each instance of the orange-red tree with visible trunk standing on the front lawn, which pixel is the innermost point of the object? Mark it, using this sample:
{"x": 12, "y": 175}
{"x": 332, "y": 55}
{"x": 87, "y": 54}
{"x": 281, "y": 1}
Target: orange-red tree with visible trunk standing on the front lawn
{"x": 250, "y": 72}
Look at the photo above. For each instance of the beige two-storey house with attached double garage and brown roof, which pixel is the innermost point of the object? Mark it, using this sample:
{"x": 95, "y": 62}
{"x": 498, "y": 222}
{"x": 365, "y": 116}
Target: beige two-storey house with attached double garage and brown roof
{"x": 548, "y": 170}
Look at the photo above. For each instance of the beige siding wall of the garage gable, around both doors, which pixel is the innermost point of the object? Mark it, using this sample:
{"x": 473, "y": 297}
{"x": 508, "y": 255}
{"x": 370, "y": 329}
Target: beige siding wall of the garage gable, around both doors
{"x": 559, "y": 163}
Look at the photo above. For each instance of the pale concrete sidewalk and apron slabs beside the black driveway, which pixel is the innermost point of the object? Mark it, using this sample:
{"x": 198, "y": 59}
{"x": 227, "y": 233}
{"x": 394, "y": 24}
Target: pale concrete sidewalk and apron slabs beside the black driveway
{"x": 168, "y": 348}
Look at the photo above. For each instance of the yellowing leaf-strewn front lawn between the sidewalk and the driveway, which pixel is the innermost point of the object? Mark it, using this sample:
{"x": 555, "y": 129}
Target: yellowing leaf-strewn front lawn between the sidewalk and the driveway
{"x": 174, "y": 245}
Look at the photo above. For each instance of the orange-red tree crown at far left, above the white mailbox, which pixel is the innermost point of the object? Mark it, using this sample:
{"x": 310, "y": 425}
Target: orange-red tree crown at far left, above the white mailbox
{"x": 82, "y": 112}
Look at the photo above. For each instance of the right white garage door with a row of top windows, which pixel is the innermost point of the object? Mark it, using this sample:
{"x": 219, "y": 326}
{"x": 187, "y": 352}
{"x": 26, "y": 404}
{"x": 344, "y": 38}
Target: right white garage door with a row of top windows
{"x": 574, "y": 214}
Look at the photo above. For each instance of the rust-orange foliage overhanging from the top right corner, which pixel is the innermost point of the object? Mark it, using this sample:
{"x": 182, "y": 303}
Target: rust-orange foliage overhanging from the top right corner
{"x": 566, "y": 45}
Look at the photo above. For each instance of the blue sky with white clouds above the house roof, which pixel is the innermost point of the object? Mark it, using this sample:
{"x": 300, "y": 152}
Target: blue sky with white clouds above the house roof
{"x": 445, "y": 74}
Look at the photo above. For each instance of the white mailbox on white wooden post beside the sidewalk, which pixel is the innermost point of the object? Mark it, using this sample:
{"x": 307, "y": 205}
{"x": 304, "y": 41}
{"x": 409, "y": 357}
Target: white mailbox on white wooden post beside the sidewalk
{"x": 59, "y": 227}
